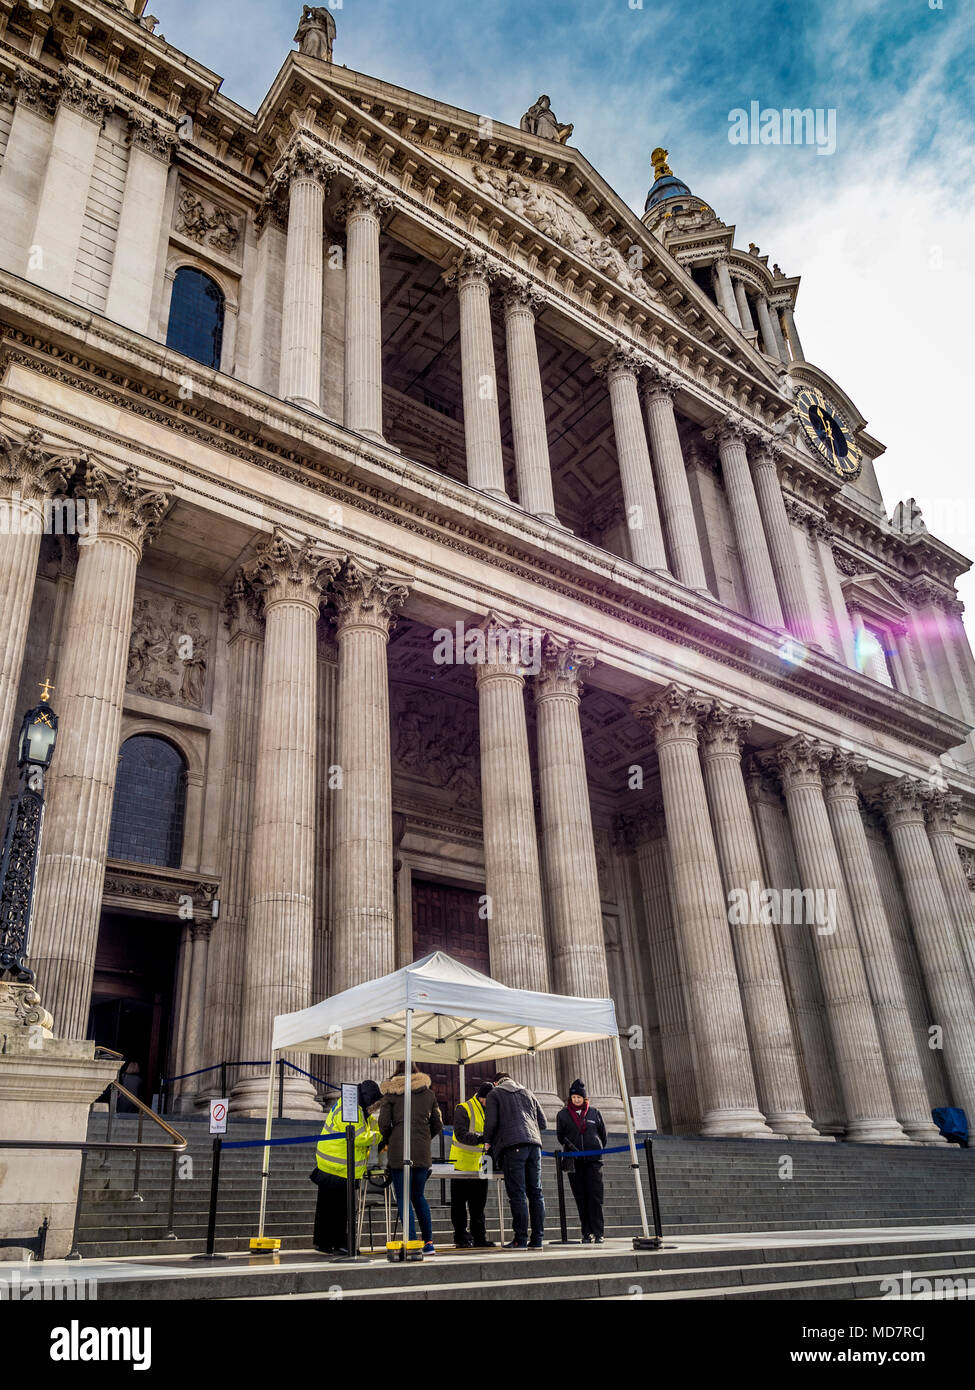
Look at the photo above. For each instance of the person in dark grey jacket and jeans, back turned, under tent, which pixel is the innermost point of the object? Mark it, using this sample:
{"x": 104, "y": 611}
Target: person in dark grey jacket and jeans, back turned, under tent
{"x": 514, "y": 1122}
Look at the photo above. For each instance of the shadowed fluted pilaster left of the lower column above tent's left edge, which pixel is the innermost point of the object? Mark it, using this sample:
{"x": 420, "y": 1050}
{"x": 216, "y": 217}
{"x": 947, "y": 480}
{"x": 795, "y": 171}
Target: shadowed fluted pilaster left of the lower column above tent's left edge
{"x": 245, "y": 653}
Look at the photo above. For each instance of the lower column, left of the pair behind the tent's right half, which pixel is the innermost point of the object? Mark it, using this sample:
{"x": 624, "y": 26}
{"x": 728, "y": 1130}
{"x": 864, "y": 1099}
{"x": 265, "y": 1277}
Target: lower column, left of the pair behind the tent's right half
{"x": 517, "y": 929}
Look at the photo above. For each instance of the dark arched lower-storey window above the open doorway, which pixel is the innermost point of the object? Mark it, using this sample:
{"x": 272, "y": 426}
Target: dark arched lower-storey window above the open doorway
{"x": 151, "y": 803}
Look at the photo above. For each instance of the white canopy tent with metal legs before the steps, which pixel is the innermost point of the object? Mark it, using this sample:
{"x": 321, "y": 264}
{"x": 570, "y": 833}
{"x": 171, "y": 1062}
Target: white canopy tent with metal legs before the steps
{"x": 442, "y": 1011}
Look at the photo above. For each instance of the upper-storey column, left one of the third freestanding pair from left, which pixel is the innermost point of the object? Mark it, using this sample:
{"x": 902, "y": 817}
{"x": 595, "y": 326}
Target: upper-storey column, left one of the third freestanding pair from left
{"x": 635, "y": 468}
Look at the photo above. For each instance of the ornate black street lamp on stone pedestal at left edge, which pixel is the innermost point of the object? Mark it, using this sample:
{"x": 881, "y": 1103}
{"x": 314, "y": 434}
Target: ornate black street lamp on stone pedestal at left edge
{"x": 35, "y": 750}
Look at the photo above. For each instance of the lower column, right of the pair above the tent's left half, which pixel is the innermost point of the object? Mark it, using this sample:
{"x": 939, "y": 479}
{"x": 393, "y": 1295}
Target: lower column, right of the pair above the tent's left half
{"x": 365, "y": 924}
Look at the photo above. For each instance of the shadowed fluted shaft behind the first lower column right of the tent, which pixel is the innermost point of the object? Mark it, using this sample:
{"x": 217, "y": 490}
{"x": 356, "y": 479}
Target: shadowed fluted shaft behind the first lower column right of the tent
{"x": 656, "y": 878}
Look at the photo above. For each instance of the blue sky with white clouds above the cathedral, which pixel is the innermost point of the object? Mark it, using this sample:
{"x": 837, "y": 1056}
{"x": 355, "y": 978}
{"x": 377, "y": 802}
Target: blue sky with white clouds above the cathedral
{"x": 881, "y": 231}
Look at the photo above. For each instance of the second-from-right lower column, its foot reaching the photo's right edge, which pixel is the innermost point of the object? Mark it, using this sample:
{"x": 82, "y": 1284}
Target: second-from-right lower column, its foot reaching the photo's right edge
{"x": 940, "y": 947}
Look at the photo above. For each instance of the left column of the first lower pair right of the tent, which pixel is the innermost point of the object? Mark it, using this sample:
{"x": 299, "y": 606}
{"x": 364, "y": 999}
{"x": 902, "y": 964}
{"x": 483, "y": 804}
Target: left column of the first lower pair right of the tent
{"x": 727, "y": 1085}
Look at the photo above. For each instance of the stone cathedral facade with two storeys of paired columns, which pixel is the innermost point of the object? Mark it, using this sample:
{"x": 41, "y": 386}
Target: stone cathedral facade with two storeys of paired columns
{"x": 432, "y": 553}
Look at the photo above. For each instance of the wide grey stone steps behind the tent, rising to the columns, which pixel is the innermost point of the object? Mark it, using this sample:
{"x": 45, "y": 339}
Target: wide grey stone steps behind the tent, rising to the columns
{"x": 707, "y": 1188}
